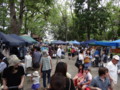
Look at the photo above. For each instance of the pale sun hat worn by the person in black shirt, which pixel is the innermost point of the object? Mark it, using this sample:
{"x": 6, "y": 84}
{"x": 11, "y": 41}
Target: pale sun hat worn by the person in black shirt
{"x": 13, "y": 60}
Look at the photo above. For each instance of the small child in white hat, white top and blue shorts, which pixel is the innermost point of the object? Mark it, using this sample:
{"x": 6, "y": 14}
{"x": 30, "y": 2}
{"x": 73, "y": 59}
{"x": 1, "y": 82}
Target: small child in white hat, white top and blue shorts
{"x": 35, "y": 78}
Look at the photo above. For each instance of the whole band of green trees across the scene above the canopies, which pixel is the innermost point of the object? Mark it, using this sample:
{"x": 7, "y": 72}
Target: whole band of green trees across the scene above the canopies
{"x": 72, "y": 20}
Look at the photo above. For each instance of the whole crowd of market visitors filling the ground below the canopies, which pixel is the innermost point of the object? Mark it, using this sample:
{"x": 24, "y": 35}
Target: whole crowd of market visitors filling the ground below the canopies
{"x": 13, "y": 70}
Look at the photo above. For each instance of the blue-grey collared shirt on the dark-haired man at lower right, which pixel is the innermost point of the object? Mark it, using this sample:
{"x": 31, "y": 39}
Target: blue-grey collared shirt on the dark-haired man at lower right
{"x": 97, "y": 82}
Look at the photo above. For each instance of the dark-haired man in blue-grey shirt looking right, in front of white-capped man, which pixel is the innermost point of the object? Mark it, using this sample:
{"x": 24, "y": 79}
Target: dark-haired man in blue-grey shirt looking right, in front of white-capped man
{"x": 101, "y": 82}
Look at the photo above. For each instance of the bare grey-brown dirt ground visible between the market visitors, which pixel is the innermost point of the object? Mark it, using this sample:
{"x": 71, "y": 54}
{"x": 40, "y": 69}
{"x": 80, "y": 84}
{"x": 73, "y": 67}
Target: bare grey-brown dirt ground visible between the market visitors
{"x": 71, "y": 69}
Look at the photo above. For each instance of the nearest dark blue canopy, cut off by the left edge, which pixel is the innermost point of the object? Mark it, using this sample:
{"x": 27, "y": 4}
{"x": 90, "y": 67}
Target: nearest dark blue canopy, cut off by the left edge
{"x": 8, "y": 40}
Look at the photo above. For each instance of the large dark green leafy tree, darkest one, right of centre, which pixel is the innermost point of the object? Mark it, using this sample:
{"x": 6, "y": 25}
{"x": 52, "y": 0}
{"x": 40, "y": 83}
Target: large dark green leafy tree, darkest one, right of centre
{"x": 90, "y": 18}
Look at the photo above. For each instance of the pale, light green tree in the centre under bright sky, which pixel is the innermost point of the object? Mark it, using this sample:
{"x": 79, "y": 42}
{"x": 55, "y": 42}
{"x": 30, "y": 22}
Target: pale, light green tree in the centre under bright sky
{"x": 60, "y": 21}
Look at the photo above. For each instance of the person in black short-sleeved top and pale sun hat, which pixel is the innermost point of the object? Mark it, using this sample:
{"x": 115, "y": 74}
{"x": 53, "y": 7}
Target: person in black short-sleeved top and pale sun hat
{"x": 14, "y": 74}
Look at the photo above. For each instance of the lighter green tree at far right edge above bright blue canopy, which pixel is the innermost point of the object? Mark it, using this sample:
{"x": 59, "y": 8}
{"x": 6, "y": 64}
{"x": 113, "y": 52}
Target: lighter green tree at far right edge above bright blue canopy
{"x": 114, "y": 21}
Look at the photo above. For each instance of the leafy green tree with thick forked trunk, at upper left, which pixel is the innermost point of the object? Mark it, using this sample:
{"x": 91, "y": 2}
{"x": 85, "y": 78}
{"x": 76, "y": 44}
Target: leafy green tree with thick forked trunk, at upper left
{"x": 23, "y": 11}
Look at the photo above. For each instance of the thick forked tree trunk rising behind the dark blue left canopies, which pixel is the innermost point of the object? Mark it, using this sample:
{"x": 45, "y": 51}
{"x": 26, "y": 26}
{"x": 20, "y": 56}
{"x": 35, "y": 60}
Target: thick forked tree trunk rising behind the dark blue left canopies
{"x": 15, "y": 25}
